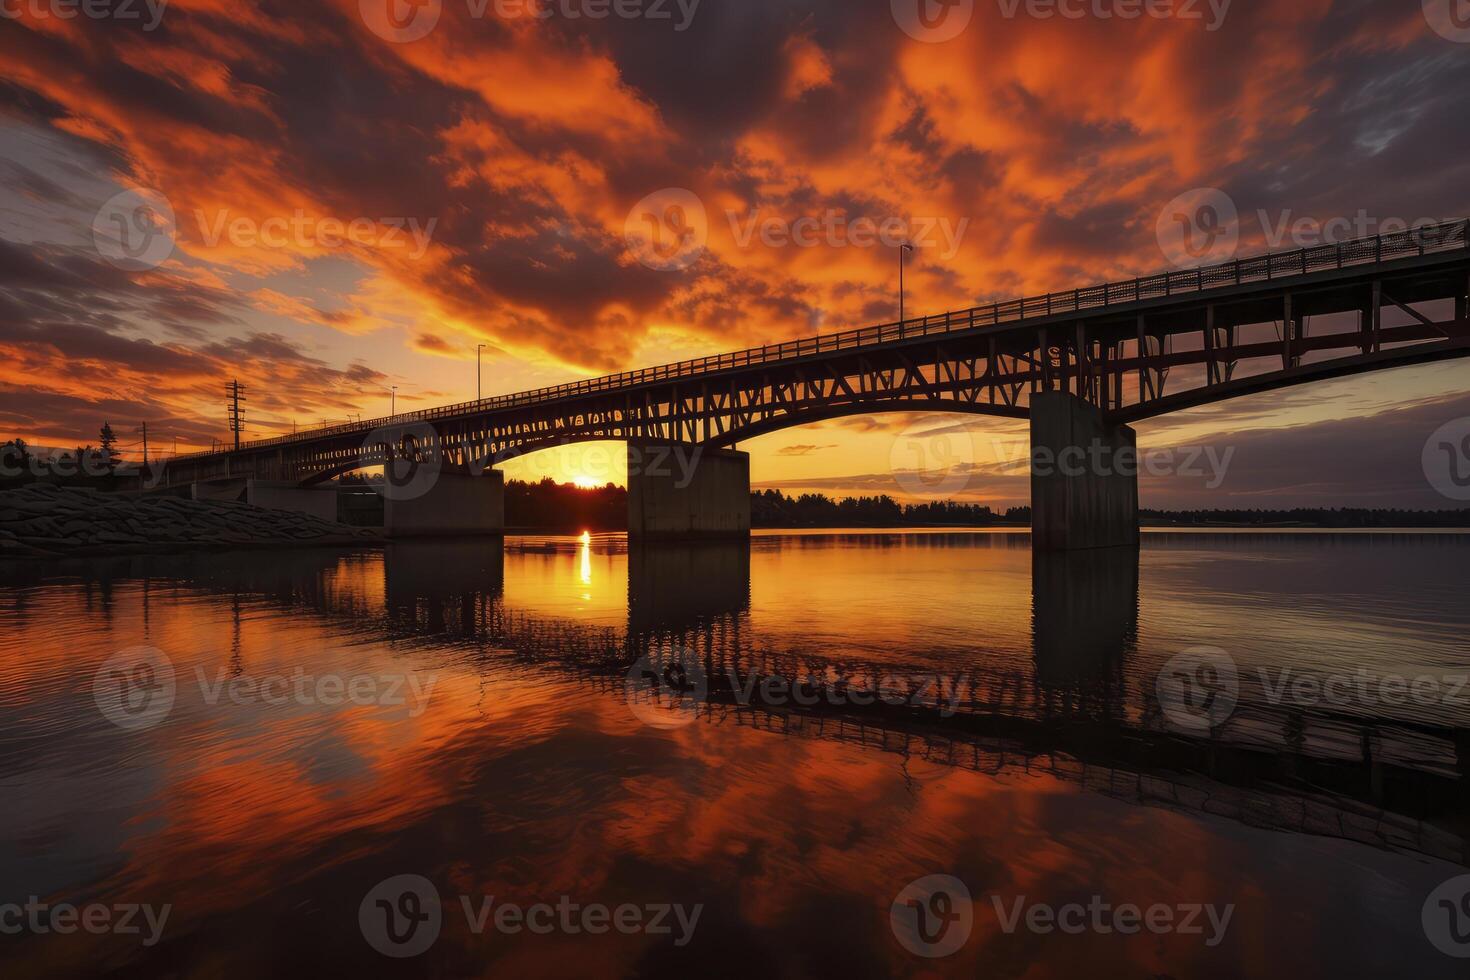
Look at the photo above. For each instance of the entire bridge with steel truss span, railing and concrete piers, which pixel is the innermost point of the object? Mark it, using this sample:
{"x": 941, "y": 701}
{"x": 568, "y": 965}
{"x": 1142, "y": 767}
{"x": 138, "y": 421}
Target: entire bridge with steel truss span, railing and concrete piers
{"x": 1081, "y": 365}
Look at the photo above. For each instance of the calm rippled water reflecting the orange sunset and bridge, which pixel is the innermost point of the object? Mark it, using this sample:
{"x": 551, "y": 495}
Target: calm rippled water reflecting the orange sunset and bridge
{"x": 1228, "y": 754}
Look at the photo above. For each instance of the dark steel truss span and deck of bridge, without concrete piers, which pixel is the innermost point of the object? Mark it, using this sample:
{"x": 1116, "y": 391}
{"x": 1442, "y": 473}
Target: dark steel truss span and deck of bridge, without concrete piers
{"x": 1136, "y": 350}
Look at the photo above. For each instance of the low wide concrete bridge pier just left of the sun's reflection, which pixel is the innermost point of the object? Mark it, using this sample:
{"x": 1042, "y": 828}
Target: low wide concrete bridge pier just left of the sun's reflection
{"x": 446, "y": 505}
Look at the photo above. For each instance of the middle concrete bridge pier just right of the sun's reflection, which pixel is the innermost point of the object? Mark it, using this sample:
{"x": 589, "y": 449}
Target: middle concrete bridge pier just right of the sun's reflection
{"x": 687, "y": 491}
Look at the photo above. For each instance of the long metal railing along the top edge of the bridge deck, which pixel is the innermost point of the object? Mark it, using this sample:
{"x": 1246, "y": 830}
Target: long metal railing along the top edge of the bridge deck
{"x": 1359, "y": 252}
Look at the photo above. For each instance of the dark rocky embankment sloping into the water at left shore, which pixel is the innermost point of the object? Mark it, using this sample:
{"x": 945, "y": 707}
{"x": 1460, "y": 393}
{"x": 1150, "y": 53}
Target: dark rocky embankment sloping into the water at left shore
{"x": 42, "y": 521}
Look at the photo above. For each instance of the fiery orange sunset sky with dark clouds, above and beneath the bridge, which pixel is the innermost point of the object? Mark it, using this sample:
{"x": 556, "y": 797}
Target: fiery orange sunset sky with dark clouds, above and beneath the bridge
{"x": 493, "y": 168}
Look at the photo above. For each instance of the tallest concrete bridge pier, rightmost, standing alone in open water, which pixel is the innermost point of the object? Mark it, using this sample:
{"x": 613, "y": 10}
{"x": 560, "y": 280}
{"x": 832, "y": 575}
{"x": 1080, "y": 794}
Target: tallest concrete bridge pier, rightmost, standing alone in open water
{"x": 1084, "y": 477}
